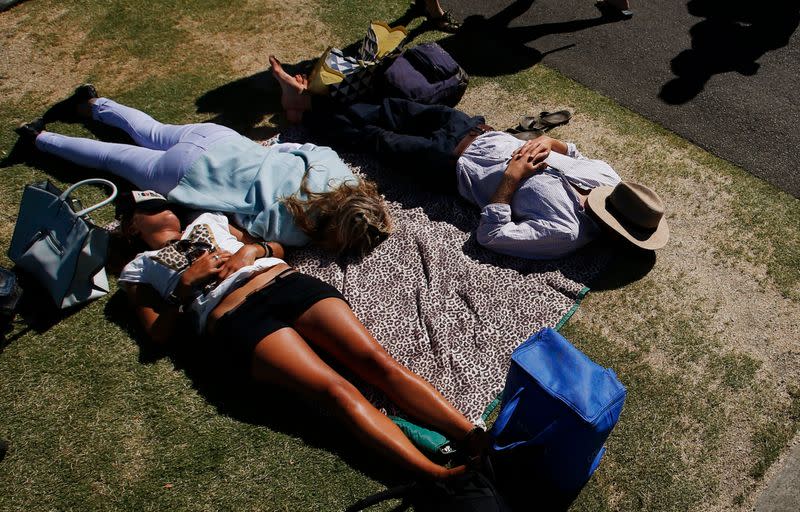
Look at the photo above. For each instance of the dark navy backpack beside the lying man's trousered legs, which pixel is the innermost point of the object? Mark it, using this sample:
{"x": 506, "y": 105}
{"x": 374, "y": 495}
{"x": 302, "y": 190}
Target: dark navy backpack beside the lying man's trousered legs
{"x": 426, "y": 74}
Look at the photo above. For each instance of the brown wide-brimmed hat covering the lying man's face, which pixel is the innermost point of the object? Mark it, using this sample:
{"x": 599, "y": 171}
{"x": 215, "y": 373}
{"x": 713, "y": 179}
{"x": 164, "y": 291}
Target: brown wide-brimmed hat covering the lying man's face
{"x": 632, "y": 210}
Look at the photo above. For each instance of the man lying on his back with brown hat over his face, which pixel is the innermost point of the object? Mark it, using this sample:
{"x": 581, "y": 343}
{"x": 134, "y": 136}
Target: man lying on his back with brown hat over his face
{"x": 539, "y": 199}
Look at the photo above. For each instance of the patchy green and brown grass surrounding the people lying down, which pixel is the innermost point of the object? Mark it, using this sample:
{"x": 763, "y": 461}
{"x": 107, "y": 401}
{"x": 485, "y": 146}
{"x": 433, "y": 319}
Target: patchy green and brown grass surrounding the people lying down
{"x": 706, "y": 341}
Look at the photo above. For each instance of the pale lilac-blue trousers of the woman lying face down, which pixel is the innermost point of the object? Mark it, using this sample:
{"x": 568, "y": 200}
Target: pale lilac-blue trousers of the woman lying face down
{"x": 163, "y": 155}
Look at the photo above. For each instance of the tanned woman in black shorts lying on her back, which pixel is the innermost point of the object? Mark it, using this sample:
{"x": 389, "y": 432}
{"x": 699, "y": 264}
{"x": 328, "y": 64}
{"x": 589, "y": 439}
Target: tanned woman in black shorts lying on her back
{"x": 251, "y": 303}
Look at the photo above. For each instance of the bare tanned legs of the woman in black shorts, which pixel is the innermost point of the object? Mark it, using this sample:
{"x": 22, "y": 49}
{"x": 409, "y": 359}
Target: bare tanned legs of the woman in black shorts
{"x": 285, "y": 357}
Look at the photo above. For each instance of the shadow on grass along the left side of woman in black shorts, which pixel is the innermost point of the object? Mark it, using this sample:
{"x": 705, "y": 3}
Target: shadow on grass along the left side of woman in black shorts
{"x": 223, "y": 381}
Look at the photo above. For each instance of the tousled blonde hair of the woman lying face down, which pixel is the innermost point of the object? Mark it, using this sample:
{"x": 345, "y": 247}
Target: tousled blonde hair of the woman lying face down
{"x": 351, "y": 218}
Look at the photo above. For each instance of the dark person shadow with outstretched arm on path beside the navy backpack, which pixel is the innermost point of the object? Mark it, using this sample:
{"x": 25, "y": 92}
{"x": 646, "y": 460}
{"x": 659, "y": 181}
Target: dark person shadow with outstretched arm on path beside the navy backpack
{"x": 490, "y": 47}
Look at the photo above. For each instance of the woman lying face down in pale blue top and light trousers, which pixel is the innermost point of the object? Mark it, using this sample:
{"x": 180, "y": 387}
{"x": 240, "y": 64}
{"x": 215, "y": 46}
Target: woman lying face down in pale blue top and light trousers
{"x": 291, "y": 193}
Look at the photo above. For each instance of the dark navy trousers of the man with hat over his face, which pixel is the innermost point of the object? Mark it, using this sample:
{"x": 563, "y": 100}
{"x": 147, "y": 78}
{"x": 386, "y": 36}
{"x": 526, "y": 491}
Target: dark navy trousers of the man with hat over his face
{"x": 418, "y": 139}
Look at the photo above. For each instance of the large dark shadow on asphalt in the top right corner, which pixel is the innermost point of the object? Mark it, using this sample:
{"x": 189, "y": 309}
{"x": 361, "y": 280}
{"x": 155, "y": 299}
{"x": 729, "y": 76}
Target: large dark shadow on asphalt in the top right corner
{"x": 732, "y": 37}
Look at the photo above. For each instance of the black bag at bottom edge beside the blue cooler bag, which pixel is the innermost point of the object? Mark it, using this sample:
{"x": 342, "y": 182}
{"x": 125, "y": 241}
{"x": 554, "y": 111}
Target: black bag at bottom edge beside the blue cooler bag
{"x": 471, "y": 492}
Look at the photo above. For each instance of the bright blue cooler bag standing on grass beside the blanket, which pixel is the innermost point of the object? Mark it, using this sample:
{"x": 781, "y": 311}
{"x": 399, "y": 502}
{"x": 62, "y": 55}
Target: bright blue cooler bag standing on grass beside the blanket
{"x": 558, "y": 409}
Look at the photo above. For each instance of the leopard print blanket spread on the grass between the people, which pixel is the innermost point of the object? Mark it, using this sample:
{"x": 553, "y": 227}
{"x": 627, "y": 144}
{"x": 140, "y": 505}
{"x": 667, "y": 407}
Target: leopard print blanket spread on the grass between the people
{"x": 441, "y": 304}
